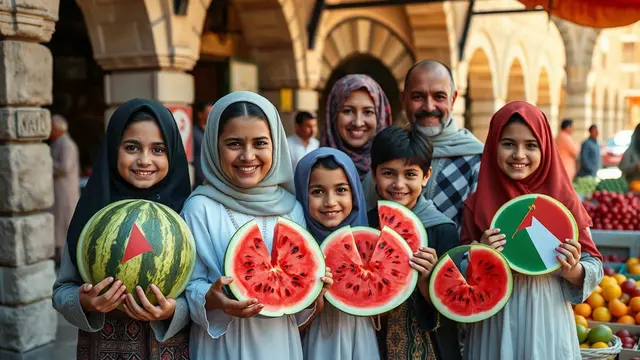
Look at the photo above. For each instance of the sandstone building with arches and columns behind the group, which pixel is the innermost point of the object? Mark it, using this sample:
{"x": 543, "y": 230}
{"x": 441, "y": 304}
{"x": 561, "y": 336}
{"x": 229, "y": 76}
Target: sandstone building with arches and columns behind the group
{"x": 84, "y": 58}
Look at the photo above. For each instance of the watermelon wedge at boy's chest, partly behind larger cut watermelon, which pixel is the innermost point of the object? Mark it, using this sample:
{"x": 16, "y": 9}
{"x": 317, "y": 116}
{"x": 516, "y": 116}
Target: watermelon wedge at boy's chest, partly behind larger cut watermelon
{"x": 404, "y": 222}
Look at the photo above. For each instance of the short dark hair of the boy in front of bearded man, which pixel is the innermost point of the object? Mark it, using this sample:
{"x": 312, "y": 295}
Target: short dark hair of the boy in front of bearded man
{"x": 397, "y": 142}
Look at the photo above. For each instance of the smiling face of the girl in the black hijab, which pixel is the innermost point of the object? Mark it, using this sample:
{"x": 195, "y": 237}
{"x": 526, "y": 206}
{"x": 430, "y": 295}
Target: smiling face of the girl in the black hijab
{"x": 142, "y": 155}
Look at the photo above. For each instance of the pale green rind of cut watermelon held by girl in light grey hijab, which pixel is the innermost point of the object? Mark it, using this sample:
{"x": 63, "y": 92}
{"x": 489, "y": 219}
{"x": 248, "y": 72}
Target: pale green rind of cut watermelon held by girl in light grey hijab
{"x": 313, "y": 246}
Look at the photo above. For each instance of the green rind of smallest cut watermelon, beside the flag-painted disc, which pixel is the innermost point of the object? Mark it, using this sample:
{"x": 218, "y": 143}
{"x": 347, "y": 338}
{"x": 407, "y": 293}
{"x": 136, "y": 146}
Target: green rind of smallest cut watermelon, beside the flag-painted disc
{"x": 479, "y": 316}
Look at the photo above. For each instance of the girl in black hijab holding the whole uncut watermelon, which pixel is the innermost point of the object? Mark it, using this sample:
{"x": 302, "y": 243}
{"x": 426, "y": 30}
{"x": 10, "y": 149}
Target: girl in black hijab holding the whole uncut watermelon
{"x": 142, "y": 157}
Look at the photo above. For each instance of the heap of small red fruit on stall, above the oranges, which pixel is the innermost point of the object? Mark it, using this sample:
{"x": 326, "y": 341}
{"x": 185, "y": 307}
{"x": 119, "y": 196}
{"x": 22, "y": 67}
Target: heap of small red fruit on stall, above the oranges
{"x": 614, "y": 211}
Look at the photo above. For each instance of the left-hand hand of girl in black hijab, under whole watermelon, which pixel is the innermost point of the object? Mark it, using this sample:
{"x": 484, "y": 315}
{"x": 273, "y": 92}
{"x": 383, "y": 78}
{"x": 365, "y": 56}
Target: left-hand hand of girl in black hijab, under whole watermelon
{"x": 92, "y": 301}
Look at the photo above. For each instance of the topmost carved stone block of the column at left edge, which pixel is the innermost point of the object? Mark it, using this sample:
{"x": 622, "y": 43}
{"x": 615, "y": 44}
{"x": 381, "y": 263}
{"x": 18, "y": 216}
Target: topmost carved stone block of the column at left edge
{"x": 31, "y": 19}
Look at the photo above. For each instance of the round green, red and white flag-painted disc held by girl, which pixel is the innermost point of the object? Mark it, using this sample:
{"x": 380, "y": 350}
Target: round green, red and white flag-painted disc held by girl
{"x": 535, "y": 225}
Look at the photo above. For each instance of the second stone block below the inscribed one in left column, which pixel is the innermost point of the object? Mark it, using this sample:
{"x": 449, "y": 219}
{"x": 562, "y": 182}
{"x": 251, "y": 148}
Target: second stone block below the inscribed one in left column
{"x": 25, "y": 240}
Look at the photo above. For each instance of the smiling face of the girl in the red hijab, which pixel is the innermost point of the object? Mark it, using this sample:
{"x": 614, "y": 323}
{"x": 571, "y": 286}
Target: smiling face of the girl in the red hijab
{"x": 518, "y": 151}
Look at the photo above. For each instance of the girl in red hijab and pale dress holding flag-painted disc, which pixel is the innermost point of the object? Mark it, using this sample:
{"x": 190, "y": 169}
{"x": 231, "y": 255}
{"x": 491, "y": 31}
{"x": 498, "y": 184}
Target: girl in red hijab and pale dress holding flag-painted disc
{"x": 520, "y": 157}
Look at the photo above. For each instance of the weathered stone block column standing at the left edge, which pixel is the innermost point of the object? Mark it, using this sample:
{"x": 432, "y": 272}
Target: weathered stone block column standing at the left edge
{"x": 28, "y": 322}
